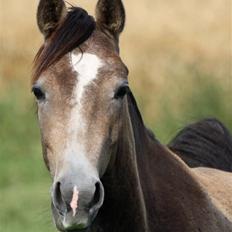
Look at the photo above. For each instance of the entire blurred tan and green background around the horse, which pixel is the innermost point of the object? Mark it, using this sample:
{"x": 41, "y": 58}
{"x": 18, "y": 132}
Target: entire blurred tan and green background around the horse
{"x": 179, "y": 56}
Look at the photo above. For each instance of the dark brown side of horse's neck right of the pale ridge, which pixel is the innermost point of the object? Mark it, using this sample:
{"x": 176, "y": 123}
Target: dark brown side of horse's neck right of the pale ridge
{"x": 164, "y": 180}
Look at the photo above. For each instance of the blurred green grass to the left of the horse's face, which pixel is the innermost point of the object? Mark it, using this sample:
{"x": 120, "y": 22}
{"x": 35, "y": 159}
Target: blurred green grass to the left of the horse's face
{"x": 24, "y": 182}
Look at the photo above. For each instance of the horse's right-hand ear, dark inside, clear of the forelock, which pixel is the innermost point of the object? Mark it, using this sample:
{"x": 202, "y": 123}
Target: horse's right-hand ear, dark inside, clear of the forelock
{"x": 110, "y": 15}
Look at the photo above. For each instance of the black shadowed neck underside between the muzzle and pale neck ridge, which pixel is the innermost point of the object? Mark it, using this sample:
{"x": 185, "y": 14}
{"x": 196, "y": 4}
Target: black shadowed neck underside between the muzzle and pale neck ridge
{"x": 123, "y": 209}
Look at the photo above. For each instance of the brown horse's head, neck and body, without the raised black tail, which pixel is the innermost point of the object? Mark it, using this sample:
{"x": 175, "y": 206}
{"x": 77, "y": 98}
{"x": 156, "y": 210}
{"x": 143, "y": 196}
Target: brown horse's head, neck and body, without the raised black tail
{"x": 109, "y": 173}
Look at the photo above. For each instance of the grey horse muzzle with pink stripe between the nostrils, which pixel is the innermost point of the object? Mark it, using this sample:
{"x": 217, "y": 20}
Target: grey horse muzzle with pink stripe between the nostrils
{"x": 76, "y": 202}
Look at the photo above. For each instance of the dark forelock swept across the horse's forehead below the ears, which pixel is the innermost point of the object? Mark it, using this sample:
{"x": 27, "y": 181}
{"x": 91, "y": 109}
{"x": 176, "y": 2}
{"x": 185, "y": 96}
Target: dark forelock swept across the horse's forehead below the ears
{"x": 74, "y": 29}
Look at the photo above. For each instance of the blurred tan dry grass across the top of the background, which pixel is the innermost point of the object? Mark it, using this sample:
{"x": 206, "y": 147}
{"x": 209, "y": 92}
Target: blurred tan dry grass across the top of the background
{"x": 158, "y": 35}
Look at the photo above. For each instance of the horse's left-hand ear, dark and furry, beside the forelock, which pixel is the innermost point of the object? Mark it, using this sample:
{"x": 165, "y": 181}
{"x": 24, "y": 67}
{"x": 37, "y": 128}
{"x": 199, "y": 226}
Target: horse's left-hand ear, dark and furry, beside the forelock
{"x": 49, "y": 14}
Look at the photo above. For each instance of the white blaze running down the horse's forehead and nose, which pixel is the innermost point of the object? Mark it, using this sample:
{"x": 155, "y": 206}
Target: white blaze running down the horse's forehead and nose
{"x": 87, "y": 66}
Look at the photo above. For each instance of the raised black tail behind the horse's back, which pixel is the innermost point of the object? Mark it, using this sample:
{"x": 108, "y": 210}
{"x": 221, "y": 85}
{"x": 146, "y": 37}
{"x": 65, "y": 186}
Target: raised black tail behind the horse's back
{"x": 207, "y": 143}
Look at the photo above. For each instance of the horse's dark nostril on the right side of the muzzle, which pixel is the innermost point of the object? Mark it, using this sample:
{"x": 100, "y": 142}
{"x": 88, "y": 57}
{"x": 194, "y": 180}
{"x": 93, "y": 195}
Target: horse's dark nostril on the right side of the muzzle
{"x": 97, "y": 198}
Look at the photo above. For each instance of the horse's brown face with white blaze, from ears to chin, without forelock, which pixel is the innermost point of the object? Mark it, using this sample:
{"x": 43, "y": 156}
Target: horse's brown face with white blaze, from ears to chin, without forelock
{"x": 80, "y": 100}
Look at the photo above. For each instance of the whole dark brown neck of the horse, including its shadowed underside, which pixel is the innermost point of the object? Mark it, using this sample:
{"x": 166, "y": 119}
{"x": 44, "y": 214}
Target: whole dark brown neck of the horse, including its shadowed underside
{"x": 148, "y": 185}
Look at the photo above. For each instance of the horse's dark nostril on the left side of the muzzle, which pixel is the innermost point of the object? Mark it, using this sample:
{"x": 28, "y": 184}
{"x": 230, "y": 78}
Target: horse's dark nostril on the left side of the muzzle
{"x": 58, "y": 200}
